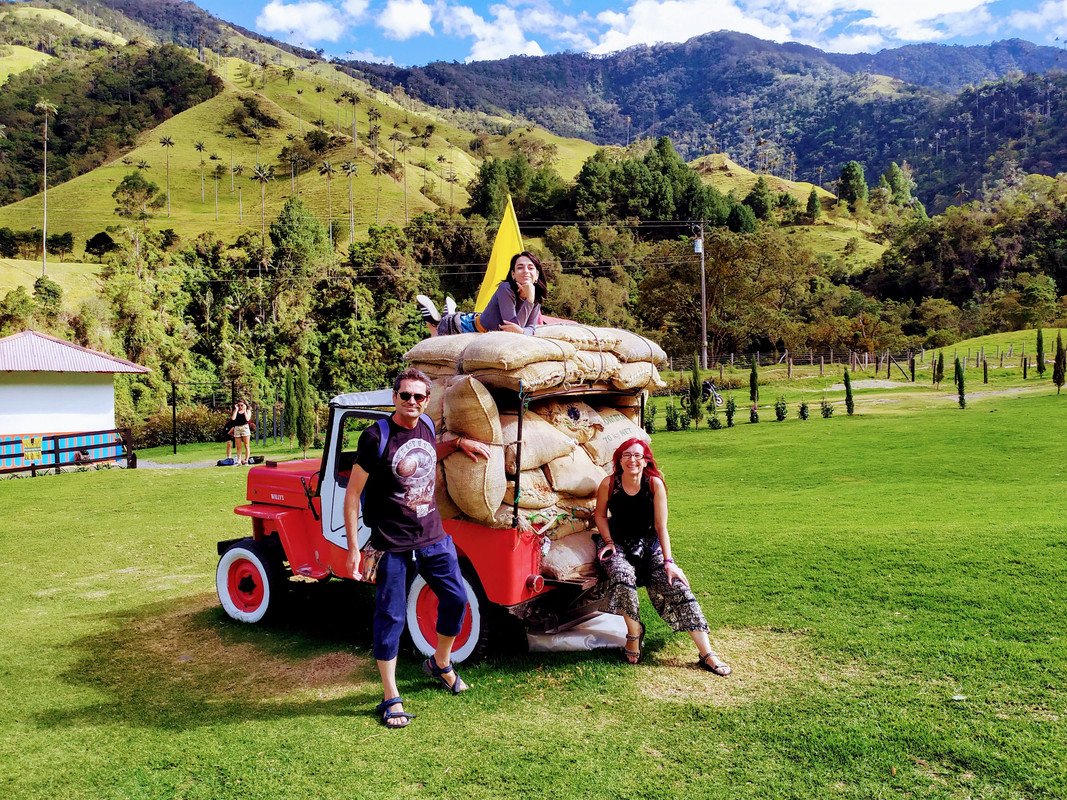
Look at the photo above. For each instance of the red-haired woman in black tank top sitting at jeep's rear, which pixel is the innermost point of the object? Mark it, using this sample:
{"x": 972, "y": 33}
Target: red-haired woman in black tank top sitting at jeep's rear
{"x": 635, "y": 551}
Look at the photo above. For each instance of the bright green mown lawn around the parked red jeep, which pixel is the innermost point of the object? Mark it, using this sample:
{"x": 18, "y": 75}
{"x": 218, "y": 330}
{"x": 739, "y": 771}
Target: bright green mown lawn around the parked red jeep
{"x": 889, "y": 589}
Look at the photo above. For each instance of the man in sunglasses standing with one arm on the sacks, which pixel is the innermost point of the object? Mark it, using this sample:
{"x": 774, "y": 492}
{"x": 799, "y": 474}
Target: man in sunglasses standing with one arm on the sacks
{"x": 406, "y": 529}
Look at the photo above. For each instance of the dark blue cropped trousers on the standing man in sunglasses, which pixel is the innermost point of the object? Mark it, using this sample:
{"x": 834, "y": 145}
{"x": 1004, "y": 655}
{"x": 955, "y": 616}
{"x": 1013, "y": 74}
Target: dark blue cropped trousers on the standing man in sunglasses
{"x": 440, "y": 568}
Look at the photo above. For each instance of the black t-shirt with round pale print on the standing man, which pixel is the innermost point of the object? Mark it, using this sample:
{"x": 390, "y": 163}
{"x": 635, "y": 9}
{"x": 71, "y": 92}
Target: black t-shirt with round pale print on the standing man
{"x": 399, "y": 506}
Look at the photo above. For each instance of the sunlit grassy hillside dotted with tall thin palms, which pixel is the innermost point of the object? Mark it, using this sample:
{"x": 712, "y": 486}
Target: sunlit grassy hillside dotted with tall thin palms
{"x": 85, "y": 205}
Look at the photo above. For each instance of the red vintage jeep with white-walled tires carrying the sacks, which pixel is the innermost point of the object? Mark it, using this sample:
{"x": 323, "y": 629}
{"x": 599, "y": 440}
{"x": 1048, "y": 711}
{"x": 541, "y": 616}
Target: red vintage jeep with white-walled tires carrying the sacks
{"x": 298, "y": 529}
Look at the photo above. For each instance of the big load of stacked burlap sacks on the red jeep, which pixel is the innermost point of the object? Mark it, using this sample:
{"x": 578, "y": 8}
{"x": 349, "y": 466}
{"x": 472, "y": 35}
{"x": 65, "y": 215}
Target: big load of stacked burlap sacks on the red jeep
{"x": 567, "y": 444}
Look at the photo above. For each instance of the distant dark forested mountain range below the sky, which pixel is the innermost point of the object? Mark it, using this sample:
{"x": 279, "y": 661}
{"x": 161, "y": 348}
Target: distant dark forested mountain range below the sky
{"x": 787, "y": 109}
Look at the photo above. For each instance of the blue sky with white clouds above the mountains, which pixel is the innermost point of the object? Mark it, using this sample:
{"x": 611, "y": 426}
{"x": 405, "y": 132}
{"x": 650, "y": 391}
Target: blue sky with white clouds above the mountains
{"x": 416, "y": 33}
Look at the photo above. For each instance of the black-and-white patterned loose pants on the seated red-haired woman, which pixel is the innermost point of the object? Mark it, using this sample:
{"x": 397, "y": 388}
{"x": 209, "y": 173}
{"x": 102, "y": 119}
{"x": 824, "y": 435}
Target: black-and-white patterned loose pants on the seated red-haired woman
{"x": 675, "y": 604}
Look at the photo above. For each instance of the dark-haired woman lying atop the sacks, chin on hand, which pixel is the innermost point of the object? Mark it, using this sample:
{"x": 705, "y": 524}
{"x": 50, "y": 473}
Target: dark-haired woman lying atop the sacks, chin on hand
{"x": 516, "y": 306}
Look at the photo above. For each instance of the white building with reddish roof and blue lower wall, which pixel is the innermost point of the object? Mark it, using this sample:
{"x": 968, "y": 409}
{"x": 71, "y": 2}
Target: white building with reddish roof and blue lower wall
{"x": 51, "y": 387}
